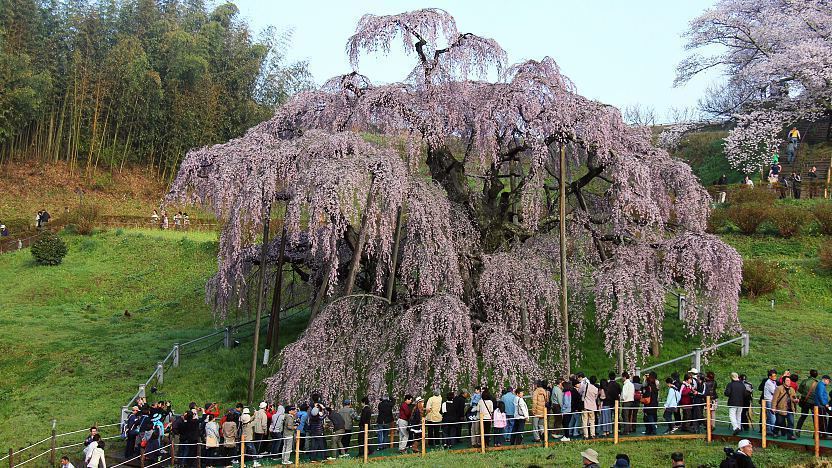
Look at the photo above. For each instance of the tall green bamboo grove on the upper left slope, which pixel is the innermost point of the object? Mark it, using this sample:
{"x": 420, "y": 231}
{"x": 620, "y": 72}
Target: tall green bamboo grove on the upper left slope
{"x": 115, "y": 82}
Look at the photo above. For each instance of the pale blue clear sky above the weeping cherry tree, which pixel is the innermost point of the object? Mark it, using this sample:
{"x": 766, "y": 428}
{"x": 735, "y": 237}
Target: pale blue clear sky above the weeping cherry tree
{"x": 619, "y": 52}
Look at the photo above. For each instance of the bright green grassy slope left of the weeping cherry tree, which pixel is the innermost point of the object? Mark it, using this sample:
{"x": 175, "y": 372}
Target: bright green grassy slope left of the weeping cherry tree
{"x": 68, "y": 351}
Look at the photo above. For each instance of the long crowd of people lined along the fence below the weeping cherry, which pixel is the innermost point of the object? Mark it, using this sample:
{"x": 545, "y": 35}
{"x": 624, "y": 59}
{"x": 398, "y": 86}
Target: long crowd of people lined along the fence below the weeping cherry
{"x": 580, "y": 407}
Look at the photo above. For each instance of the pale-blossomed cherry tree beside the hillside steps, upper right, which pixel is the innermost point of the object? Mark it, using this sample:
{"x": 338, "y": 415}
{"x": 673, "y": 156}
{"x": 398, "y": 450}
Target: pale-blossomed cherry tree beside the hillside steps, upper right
{"x": 777, "y": 59}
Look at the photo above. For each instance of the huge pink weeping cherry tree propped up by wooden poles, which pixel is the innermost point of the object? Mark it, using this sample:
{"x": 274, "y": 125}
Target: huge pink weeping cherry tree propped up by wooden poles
{"x": 424, "y": 215}
